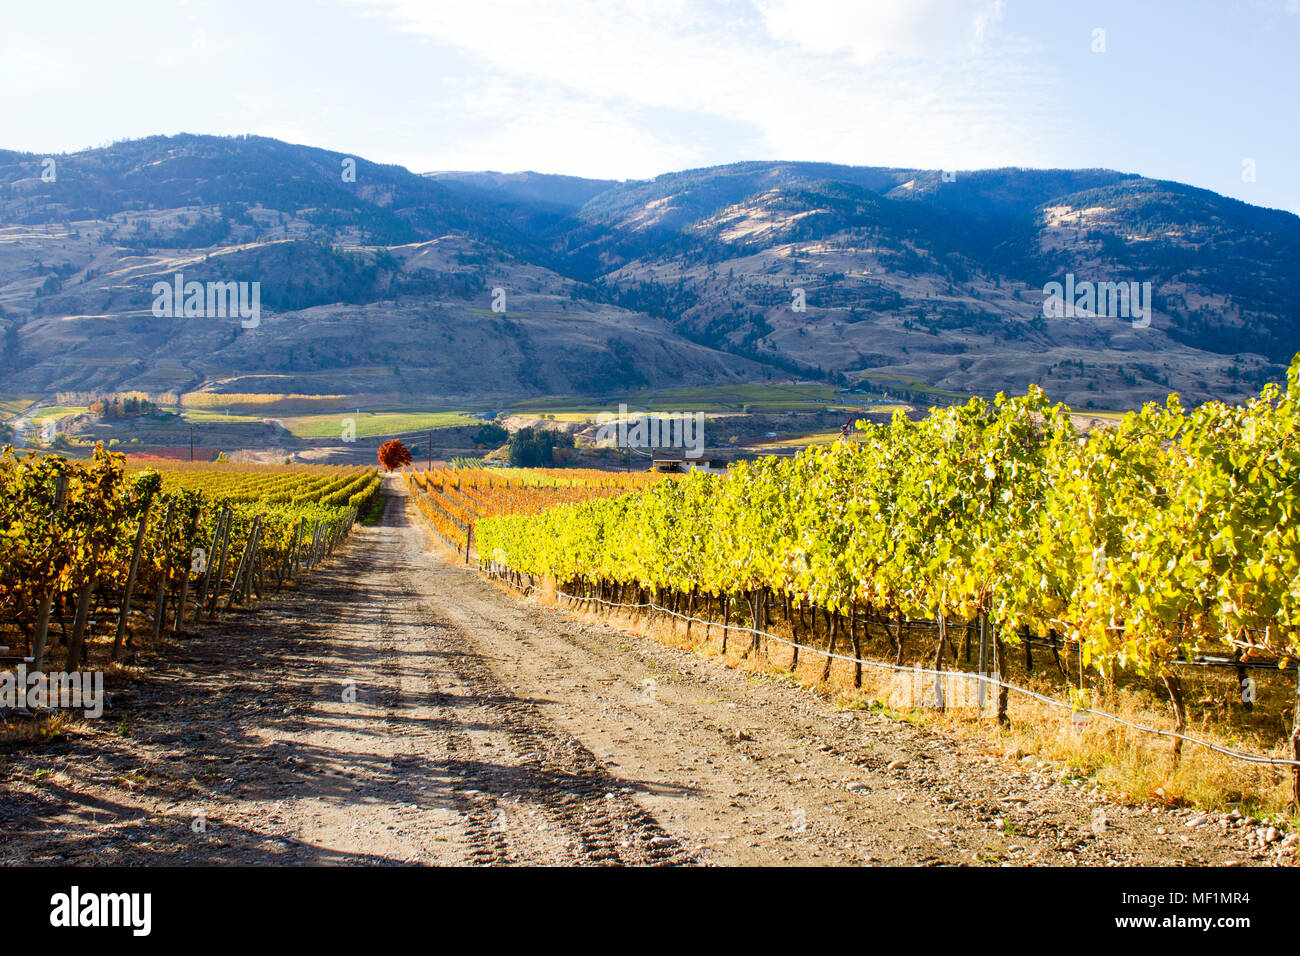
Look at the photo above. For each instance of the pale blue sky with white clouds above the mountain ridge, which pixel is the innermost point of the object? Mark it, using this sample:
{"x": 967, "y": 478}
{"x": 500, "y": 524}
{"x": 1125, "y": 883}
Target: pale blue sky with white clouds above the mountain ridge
{"x": 1191, "y": 90}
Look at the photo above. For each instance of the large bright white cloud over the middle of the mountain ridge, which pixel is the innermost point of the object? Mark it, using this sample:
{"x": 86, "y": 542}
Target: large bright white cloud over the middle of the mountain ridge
{"x": 926, "y": 83}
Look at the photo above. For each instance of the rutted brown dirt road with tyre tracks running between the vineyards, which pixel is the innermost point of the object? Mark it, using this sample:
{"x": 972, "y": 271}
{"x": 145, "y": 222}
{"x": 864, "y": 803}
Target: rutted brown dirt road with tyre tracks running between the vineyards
{"x": 400, "y": 710}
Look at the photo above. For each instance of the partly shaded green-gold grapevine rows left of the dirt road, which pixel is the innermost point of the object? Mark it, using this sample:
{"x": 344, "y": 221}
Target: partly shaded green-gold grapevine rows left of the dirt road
{"x": 89, "y": 546}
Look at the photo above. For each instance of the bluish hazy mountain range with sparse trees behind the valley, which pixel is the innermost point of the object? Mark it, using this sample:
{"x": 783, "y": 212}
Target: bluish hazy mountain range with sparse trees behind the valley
{"x": 383, "y": 282}
